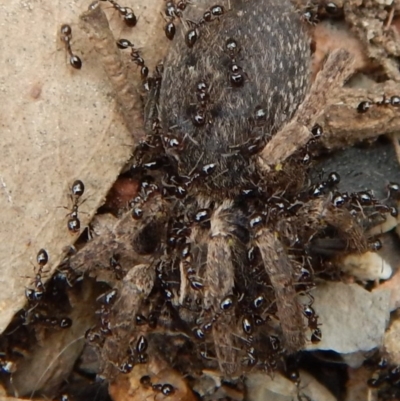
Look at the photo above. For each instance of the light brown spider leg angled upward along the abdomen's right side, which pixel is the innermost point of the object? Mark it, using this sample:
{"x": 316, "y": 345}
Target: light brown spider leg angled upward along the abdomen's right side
{"x": 295, "y": 135}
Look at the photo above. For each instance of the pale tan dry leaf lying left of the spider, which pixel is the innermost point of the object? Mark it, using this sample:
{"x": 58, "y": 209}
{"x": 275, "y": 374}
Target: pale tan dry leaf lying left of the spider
{"x": 58, "y": 124}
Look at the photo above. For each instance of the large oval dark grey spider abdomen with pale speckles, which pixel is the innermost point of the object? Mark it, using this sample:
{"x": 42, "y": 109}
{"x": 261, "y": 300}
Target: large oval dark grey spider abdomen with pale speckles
{"x": 243, "y": 78}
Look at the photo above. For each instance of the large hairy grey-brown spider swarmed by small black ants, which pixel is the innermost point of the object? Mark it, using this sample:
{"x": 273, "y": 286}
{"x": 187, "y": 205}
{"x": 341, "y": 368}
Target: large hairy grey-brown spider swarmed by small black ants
{"x": 217, "y": 239}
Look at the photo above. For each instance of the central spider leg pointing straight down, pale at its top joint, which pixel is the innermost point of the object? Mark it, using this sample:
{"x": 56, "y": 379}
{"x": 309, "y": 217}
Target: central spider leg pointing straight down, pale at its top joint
{"x": 226, "y": 251}
